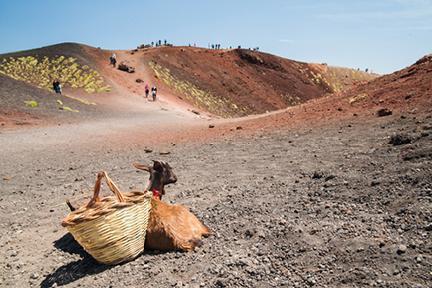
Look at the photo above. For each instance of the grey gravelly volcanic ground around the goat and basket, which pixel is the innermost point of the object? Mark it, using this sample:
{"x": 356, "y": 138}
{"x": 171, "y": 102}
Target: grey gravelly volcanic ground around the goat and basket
{"x": 333, "y": 206}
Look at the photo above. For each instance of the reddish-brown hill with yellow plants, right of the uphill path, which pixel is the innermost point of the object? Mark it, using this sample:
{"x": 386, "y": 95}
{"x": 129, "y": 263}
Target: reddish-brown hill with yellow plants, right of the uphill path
{"x": 242, "y": 82}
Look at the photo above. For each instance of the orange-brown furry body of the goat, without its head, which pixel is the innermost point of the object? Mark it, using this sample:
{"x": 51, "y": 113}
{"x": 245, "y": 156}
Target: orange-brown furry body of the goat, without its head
{"x": 173, "y": 227}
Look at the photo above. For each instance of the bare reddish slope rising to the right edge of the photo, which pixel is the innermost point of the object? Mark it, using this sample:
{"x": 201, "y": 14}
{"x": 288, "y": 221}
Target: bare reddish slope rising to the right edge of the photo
{"x": 405, "y": 92}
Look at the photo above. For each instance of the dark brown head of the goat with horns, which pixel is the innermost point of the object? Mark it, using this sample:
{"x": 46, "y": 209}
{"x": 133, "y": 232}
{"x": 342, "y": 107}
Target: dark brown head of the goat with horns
{"x": 161, "y": 174}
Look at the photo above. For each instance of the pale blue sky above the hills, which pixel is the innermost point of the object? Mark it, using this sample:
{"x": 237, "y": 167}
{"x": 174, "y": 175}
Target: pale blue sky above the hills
{"x": 383, "y": 35}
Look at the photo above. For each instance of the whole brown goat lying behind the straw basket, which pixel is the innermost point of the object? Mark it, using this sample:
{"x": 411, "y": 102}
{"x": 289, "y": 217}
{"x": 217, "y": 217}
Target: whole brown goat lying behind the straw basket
{"x": 170, "y": 227}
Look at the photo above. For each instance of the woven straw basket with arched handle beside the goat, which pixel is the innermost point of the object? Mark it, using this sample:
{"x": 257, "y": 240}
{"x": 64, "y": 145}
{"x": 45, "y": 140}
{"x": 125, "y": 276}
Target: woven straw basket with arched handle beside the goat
{"x": 111, "y": 229}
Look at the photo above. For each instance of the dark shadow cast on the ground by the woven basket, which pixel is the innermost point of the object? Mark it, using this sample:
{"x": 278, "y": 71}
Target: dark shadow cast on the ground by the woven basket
{"x": 73, "y": 271}
